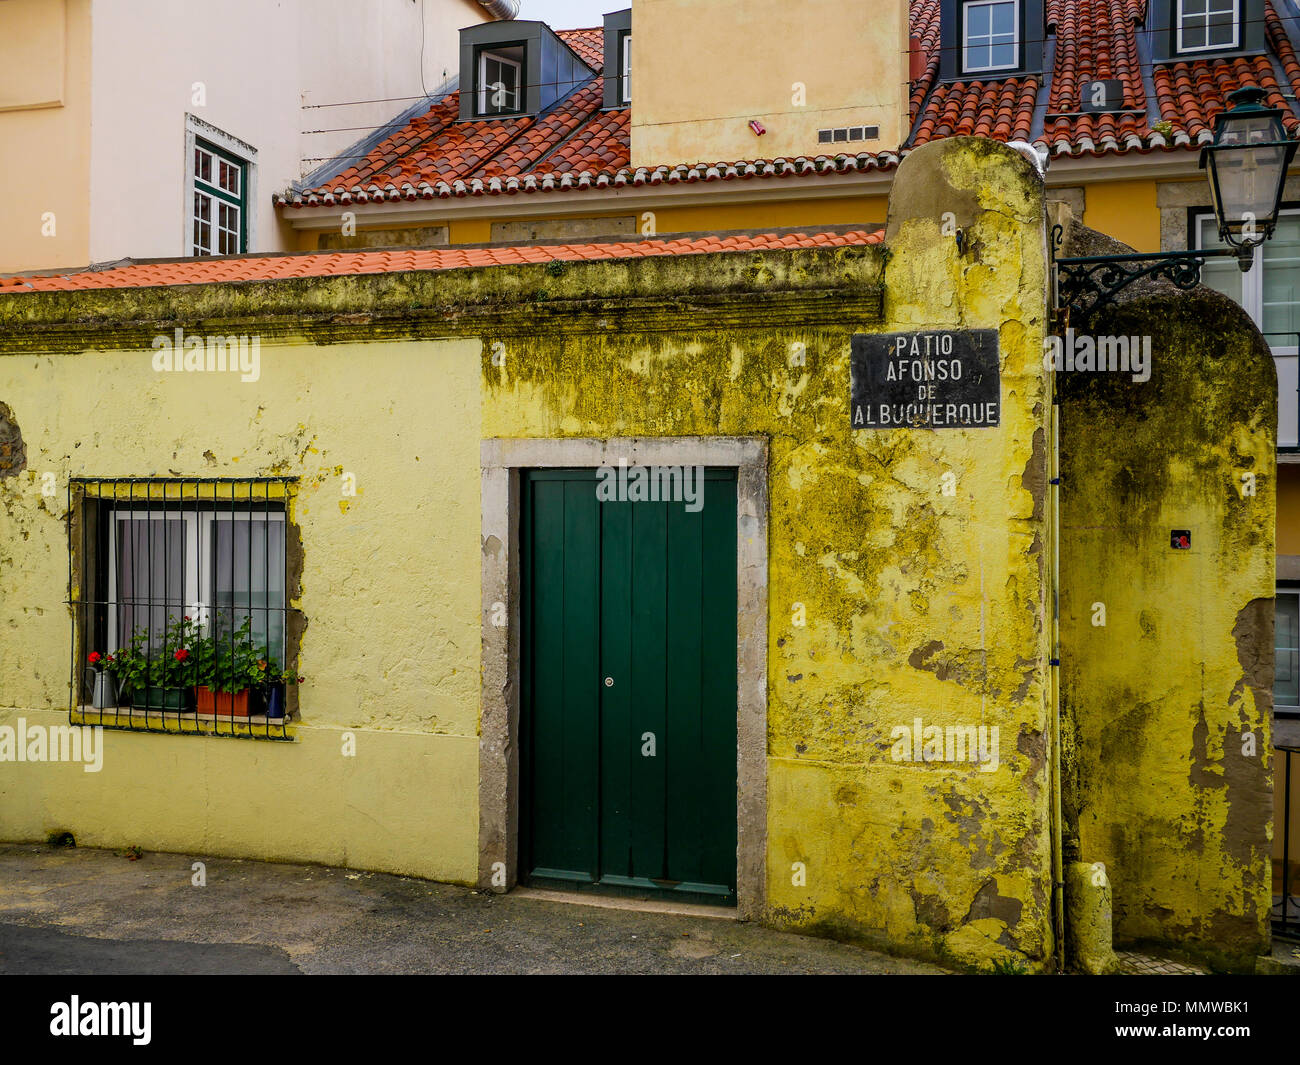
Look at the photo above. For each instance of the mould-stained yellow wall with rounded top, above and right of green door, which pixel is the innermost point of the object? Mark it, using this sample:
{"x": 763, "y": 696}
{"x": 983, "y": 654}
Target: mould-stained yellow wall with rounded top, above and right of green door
{"x": 917, "y": 604}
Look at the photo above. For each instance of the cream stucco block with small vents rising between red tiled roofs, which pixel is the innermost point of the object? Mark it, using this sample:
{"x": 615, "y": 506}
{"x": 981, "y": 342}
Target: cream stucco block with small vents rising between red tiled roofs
{"x": 747, "y": 59}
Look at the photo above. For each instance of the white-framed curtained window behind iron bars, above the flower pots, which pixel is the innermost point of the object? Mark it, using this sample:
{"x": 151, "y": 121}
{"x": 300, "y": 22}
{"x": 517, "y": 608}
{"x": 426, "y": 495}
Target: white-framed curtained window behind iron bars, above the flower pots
{"x": 211, "y": 566}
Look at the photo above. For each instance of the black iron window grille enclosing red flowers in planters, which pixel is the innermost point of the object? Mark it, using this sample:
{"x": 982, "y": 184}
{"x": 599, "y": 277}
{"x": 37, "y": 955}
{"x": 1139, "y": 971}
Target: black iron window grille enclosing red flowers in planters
{"x": 181, "y": 605}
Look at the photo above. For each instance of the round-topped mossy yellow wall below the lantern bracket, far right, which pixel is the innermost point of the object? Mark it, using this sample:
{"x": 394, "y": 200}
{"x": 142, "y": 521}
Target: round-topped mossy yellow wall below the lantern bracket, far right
{"x": 1168, "y": 703}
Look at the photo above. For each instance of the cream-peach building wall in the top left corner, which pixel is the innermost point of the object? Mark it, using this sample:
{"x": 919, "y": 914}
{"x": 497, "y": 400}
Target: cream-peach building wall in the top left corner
{"x": 45, "y": 133}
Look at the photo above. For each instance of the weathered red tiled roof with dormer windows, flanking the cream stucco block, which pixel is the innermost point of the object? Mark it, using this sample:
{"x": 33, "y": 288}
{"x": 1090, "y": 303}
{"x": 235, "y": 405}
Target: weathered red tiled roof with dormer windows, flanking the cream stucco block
{"x": 580, "y": 146}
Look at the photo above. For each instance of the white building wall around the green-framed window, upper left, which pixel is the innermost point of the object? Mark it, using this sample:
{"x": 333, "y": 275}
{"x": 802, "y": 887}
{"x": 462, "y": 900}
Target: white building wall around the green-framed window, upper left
{"x": 258, "y": 62}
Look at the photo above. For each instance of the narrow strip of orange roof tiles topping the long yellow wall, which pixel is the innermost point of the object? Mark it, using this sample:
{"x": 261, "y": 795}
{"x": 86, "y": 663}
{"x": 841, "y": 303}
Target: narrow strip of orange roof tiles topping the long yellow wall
{"x": 353, "y": 263}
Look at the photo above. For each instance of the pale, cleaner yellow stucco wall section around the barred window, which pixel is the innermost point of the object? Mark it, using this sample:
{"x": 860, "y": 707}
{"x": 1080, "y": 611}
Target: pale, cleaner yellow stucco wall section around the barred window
{"x": 391, "y": 594}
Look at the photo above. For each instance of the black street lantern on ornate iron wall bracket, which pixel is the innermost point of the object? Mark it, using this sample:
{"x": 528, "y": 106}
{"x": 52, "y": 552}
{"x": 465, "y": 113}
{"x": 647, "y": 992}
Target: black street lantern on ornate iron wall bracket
{"x": 1247, "y": 168}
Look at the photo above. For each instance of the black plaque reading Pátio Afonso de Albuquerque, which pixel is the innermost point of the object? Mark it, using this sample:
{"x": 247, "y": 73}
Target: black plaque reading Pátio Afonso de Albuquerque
{"x": 942, "y": 379}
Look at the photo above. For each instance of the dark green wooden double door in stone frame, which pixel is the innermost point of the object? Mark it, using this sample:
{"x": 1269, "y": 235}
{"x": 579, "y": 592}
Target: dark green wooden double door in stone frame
{"x": 629, "y": 665}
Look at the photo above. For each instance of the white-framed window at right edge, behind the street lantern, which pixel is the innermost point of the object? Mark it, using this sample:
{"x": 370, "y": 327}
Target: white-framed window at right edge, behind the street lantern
{"x": 1271, "y": 295}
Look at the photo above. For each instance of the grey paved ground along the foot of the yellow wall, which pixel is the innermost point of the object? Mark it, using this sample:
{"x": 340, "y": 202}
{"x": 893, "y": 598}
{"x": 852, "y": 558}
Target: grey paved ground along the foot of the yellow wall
{"x": 97, "y": 912}
